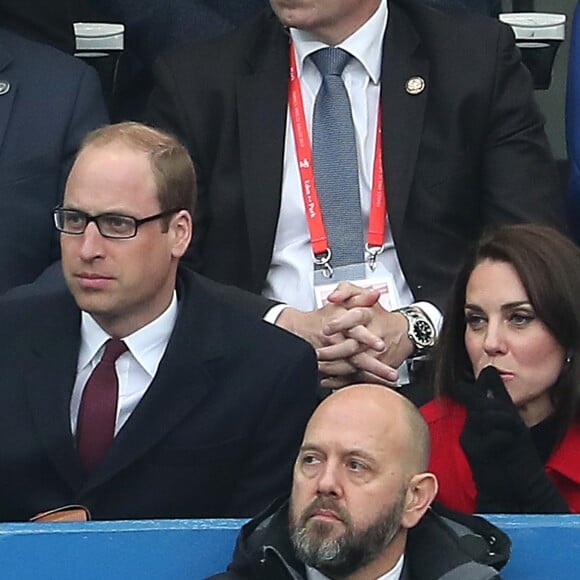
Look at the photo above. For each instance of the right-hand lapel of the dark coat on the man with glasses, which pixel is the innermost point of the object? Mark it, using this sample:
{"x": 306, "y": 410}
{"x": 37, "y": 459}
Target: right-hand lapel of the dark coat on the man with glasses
{"x": 181, "y": 382}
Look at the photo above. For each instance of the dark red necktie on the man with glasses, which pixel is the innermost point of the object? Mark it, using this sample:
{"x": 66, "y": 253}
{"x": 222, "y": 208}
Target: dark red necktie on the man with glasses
{"x": 98, "y": 410}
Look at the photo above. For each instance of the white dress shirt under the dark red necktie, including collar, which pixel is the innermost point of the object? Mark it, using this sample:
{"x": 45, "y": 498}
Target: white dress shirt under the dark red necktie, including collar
{"x": 136, "y": 367}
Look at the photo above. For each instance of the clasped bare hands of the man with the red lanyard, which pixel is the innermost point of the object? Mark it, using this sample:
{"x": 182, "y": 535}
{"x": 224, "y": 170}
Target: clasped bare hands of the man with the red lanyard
{"x": 355, "y": 338}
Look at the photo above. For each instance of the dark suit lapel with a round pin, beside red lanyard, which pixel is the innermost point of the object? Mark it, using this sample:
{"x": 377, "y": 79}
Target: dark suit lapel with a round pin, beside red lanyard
{"x": 403, "y": 112}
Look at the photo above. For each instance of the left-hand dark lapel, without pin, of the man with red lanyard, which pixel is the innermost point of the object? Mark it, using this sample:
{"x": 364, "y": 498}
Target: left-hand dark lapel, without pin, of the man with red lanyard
{"x": 262, "y": 95}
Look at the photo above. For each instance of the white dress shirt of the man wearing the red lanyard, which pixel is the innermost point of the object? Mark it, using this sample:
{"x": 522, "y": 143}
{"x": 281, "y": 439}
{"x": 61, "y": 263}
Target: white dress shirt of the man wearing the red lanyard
{"x": 290, "y": 279}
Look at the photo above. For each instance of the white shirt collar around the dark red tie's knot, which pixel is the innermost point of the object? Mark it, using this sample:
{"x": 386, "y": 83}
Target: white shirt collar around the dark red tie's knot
{"x": 141, "y": 344}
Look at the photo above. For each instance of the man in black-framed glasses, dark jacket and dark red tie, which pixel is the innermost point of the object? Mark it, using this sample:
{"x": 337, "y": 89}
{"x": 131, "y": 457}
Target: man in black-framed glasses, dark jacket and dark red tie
{"x": 211, "y": 402}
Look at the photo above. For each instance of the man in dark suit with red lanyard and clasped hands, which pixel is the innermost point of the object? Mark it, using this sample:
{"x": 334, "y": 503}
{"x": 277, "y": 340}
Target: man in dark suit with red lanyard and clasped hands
{"x": 463, "y": 149}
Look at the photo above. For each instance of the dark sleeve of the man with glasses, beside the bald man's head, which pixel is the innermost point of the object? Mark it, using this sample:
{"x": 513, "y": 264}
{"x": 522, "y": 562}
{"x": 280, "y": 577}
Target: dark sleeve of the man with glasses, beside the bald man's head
{"x": 293, "y": 394}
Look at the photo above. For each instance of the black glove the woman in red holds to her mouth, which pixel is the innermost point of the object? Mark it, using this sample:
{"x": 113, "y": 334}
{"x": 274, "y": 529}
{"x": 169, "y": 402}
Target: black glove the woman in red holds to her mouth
{"x": 507, "y": 470}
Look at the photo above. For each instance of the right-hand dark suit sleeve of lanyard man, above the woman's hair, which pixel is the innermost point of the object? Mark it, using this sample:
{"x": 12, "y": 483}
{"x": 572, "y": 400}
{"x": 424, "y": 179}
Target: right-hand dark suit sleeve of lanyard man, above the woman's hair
{"x": 519, "y": 176}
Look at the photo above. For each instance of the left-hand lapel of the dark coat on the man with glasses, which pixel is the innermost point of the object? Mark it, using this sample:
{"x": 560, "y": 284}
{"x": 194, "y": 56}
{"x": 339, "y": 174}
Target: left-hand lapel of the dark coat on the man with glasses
{"x": 49, "y": 382}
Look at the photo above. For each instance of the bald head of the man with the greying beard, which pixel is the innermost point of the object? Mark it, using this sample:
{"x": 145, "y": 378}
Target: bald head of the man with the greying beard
{"x": 360, "y": 481}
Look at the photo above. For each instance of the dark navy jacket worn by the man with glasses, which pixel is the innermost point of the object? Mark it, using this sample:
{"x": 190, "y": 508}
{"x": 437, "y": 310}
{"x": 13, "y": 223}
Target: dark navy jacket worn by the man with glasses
{"x": 215, "y": 435}
